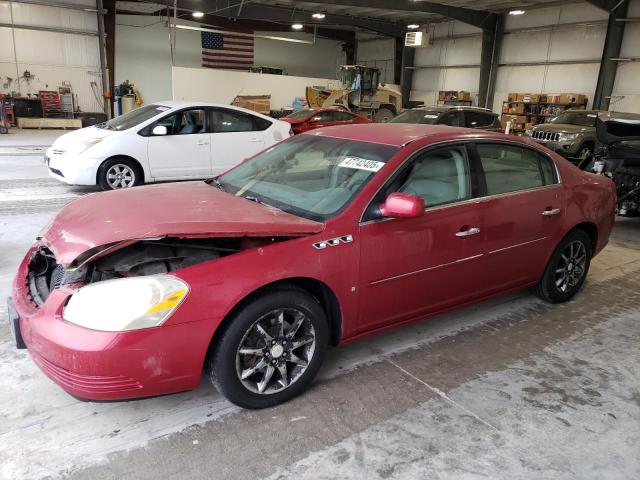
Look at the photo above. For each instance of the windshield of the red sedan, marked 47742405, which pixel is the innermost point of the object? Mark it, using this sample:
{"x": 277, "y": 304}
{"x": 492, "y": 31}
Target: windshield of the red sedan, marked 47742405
{"x": 309, "y": 176}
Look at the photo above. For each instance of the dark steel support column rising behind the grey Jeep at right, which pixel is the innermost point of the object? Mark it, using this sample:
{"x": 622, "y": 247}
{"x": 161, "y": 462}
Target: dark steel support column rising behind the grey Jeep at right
{"x": 608, "y": 67}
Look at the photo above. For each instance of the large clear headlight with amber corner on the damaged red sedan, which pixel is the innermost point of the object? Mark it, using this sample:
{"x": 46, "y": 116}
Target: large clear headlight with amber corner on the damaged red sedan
{"x": 126, "y": 303}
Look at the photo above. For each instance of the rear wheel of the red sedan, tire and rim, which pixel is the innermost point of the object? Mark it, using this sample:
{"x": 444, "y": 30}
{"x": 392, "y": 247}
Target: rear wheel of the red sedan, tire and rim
{"x": 562, "y": 279}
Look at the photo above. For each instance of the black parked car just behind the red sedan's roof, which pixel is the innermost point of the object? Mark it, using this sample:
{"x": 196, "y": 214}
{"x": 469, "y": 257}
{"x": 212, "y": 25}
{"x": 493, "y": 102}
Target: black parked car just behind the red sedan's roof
{"x": 454, "y": 116}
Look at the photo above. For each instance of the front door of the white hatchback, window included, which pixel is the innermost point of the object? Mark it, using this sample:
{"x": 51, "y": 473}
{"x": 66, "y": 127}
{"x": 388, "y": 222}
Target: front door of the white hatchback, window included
{"x": 185, "y": 151}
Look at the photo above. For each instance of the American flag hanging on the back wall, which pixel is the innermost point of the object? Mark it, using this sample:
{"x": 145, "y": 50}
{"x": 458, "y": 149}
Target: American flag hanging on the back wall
{"x": 231, "y": 50}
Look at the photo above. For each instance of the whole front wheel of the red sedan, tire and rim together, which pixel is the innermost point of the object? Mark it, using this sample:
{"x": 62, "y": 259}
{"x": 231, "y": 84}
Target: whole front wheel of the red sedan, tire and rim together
{"x": 230, "y": 370}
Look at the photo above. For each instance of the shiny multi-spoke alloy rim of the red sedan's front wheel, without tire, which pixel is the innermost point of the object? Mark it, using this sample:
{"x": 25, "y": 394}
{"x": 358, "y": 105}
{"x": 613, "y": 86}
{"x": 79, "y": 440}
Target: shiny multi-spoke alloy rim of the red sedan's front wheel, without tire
{"x": 275, "y": 351}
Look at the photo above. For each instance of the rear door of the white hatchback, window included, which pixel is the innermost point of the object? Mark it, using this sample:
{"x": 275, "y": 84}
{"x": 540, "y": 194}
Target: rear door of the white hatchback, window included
{"x": 236, "y": 136}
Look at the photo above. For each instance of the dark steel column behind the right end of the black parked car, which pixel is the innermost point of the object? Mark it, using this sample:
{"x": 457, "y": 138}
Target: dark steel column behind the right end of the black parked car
{"x": 489, "y": 60}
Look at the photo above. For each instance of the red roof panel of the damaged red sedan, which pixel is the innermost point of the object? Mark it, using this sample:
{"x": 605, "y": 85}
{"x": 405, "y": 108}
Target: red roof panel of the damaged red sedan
{"x": 400, "y": 134}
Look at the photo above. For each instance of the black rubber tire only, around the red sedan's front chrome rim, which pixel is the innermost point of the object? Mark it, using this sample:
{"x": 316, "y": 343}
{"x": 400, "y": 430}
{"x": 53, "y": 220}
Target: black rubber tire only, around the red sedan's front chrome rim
{"x": 224, "y": 369}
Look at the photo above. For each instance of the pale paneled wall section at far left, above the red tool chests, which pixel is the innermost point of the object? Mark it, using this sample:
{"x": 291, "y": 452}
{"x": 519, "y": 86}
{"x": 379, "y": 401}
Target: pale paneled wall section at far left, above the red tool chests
{"x": 50, "y": 57}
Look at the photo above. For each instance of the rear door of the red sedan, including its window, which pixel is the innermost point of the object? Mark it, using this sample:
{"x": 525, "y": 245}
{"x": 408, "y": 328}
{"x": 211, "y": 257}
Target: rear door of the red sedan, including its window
{"x": 522, "y": 208}
